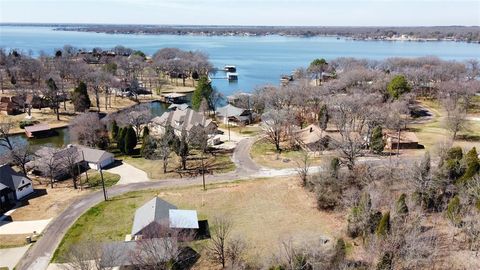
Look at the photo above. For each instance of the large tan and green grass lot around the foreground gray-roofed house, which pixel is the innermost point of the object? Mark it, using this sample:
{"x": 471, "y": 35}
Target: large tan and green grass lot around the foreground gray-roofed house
{"x": 264, "y": 212}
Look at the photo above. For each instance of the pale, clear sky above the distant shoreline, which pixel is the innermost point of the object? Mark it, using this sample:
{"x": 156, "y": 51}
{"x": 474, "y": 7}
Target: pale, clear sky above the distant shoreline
{"x": 245, "y": 12}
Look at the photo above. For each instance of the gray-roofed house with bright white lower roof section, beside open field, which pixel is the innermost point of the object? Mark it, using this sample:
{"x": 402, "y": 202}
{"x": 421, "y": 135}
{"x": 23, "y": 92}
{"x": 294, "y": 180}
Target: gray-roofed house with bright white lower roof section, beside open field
{"x": 158, "y": 211}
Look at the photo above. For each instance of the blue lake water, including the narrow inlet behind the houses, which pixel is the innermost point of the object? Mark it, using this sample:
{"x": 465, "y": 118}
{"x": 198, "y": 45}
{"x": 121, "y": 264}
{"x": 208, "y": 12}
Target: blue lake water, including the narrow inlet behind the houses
{"x": 259, "y": 60}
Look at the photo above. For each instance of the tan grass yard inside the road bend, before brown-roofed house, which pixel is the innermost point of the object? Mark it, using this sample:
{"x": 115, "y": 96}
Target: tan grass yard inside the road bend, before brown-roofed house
{"x": 264, "y": 154}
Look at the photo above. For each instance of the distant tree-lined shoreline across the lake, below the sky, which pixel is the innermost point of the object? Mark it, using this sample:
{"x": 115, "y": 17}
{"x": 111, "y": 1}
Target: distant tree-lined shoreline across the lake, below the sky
{"x": 468, "y": 34}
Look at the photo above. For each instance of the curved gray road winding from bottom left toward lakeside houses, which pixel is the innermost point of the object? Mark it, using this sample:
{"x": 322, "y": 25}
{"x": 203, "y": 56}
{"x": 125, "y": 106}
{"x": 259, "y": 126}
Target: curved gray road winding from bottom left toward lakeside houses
{"x": 39, "y": 255}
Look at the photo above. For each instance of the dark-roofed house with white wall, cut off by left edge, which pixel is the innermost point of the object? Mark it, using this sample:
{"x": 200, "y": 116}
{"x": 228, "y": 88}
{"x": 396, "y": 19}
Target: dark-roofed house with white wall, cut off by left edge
{"x": 16, "y": 184}
